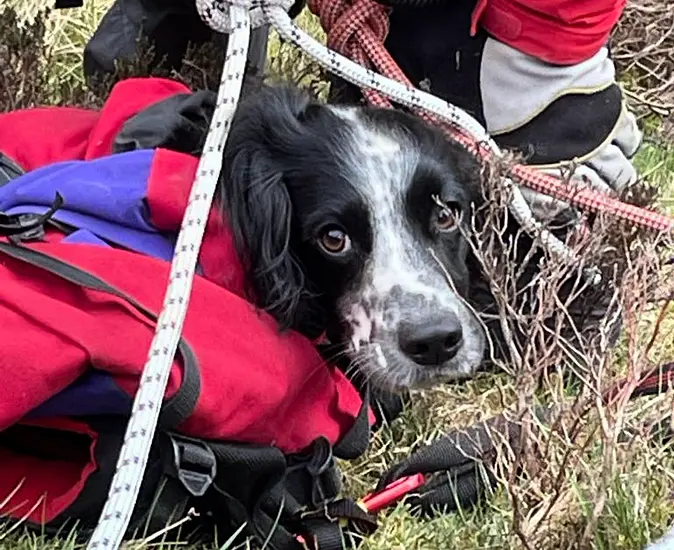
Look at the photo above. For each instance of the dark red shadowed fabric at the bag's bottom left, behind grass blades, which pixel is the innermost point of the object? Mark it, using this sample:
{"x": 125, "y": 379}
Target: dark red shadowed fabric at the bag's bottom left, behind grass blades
{"x": 29, "y": 486}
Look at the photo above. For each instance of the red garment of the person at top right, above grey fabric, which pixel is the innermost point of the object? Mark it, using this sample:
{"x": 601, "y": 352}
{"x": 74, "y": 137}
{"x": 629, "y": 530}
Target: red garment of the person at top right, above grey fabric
{"x": 562, "y": 32}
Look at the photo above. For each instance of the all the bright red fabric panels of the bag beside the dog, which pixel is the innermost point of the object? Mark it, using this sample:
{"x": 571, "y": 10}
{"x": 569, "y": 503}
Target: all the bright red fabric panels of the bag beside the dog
{"x": 257, "y": 385}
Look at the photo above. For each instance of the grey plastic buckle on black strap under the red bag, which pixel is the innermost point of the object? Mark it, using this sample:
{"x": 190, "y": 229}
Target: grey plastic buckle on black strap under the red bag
{"x": 195, "y": 464}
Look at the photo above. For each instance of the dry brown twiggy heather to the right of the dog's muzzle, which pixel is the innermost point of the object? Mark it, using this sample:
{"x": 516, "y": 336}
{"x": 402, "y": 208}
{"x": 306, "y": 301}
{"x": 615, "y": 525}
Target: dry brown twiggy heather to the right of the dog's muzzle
{"x": 559, "y": 353}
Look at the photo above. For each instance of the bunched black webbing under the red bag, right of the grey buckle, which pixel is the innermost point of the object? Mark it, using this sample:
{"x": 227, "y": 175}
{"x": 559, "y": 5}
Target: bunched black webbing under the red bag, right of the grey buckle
{"x": 281, "y": 498}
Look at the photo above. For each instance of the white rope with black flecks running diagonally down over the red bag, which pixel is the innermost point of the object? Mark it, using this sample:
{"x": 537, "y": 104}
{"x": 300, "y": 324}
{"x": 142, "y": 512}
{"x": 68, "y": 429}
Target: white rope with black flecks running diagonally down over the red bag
{"x": 125, "y": 485}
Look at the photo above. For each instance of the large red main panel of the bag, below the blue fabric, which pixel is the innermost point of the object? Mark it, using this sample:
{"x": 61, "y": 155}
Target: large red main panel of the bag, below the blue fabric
{"x": 257, "y": 385}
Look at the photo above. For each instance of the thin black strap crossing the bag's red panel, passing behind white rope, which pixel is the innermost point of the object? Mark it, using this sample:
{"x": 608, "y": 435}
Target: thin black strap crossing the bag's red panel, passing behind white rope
{"x": 174, "y": 410}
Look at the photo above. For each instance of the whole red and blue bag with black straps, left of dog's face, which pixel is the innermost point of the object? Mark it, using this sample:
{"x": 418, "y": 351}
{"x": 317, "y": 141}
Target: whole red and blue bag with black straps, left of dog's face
{"x": 252, "y": 417}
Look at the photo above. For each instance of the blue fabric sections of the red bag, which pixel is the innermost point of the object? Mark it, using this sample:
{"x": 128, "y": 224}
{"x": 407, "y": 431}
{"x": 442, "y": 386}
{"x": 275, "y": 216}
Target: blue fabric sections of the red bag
{"x": 106, "y": 200}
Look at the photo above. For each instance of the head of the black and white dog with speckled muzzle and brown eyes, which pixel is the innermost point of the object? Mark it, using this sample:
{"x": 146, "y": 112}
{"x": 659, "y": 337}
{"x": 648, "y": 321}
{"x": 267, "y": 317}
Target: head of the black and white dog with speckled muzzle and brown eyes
{"x": 349, "y": 220}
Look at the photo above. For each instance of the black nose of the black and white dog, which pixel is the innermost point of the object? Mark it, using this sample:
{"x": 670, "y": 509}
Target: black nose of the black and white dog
{"x": 431, "y": 343}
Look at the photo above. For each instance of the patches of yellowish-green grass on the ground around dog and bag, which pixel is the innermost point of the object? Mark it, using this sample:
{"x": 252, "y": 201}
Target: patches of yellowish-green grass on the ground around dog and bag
{"x": 639, "y": 501}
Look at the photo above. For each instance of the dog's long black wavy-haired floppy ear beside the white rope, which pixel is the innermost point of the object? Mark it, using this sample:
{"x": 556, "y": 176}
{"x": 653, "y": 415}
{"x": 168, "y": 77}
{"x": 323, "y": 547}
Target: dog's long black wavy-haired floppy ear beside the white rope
{"x": 265, "y": 133}
